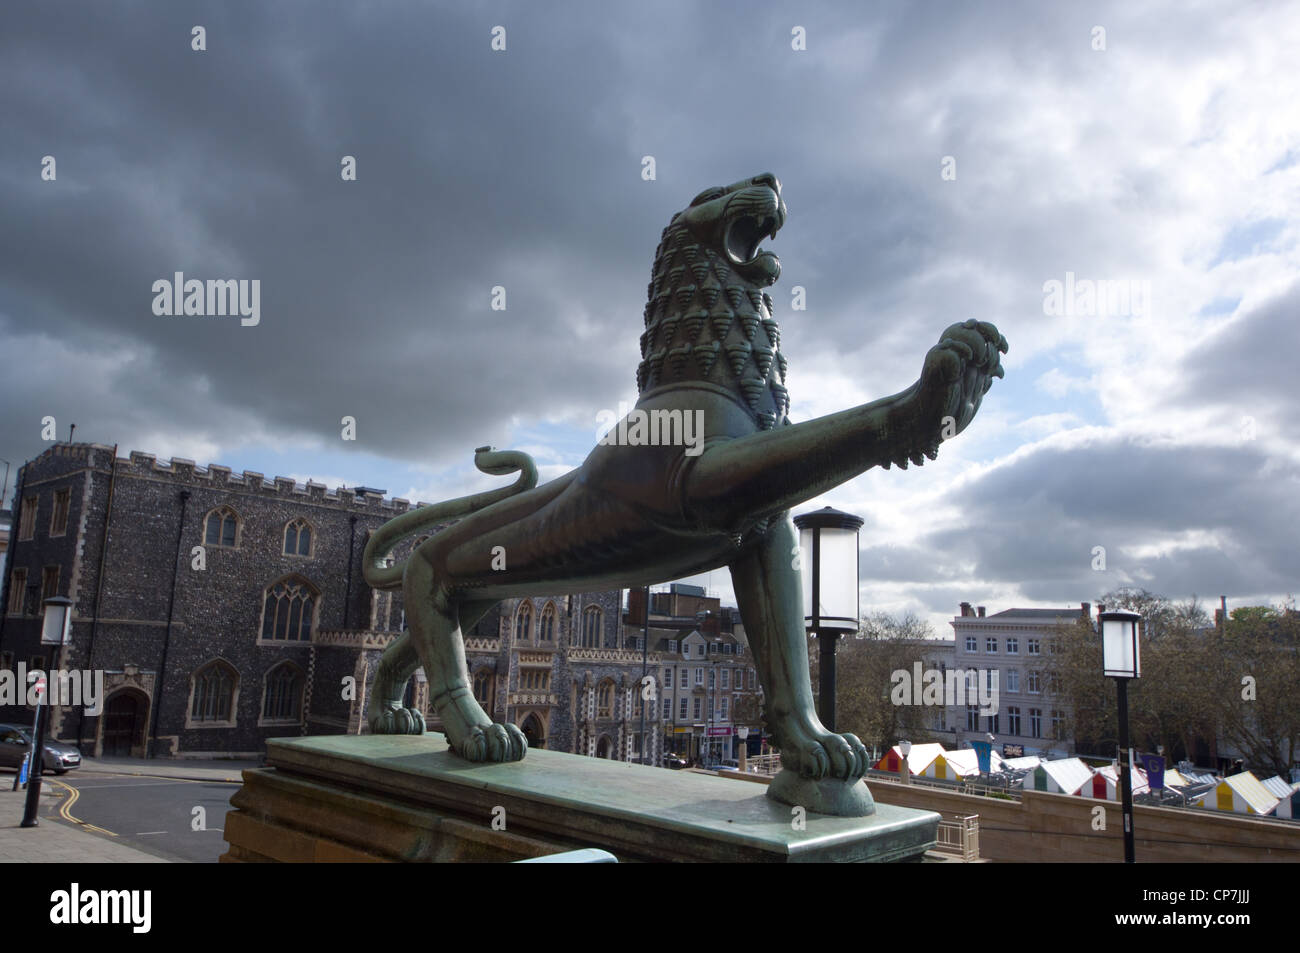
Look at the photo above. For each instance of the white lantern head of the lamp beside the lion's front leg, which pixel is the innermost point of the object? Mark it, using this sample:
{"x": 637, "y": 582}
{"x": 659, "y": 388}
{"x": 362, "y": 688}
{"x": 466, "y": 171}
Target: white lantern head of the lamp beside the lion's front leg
{"x": 829, "y": 545}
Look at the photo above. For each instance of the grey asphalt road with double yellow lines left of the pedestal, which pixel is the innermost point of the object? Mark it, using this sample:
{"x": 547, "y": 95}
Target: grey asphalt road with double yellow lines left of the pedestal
{"x": 154, "y": 815}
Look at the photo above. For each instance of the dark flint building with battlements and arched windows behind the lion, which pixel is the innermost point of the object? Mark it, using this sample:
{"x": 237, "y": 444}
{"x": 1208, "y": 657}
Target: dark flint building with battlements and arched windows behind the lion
{"x": 227, "y": 610}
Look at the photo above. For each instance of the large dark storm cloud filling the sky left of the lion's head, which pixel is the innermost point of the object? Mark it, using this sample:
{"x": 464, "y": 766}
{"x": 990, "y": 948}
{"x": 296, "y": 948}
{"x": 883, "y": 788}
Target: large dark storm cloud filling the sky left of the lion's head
{"x": 475, "y": 170}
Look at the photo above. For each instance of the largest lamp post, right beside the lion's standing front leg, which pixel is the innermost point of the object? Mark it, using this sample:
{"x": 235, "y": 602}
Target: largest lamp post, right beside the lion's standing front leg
{"x": 829, "y": 540}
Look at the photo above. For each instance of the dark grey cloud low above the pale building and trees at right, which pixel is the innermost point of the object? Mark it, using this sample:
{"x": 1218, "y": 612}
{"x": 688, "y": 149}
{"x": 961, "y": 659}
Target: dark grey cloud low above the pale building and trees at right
{"x": 1034, "y": 522}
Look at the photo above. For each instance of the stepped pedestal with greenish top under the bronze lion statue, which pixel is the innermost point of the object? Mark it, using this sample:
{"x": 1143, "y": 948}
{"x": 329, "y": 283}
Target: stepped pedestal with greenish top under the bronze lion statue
{"x": 375, "y": 798}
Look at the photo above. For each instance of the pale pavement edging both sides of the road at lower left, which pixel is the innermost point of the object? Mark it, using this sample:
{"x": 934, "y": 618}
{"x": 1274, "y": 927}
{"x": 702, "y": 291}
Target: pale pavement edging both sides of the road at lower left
{"x": 63, "y": 838}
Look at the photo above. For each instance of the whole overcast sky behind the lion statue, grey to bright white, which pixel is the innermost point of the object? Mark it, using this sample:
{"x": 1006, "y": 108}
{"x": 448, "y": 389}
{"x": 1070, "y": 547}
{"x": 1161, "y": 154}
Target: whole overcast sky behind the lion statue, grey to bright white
{"x": 1171, "y": 157}
